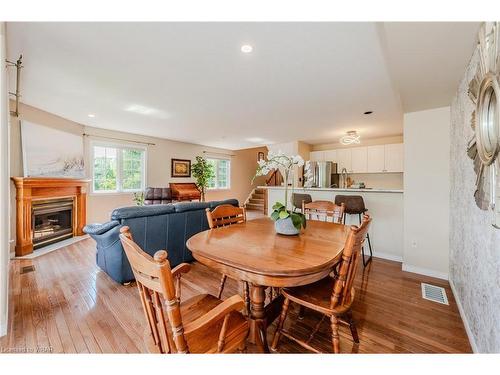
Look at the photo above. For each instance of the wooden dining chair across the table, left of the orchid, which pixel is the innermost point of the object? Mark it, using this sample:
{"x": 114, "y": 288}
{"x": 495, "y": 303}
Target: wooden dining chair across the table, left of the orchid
{"x": 222, "y": 216}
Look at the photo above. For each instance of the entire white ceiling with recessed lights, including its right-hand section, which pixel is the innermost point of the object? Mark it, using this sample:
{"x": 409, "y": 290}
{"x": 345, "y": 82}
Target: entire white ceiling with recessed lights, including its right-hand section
{"x": 303, "y": 81}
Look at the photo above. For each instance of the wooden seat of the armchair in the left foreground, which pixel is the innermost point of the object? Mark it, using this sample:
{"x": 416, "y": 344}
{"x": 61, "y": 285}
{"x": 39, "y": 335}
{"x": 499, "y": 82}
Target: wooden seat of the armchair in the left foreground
{"x": 206, "y": 340}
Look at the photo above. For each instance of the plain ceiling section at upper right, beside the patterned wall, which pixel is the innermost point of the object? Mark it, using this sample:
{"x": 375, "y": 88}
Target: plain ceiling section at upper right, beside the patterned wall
{"x": 428, "y": 60}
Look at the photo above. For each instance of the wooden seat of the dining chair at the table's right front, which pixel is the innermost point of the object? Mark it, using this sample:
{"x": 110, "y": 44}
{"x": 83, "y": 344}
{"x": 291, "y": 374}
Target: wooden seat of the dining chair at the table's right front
{"x": 317, "y": 296}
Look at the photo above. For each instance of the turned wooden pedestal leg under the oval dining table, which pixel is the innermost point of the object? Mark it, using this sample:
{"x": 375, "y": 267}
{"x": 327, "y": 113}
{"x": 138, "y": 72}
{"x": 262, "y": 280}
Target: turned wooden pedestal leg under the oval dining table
{"x": 258, "y": 320}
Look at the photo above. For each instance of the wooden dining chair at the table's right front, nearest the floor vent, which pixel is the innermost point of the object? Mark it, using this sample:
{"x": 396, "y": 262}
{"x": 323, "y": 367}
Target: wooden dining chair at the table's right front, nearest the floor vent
{"x": 331, "y": 296}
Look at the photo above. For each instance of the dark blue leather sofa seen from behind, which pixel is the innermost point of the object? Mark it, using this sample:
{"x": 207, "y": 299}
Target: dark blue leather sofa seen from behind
{"x": 154, "y": 227}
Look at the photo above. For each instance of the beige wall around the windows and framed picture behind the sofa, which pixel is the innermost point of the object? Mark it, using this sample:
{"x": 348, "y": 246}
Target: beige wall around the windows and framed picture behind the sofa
{"x": 99, "y": 206}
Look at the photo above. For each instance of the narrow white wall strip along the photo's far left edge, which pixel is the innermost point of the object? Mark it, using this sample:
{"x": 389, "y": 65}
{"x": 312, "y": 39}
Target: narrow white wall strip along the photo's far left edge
{"x": 4, "y": 187}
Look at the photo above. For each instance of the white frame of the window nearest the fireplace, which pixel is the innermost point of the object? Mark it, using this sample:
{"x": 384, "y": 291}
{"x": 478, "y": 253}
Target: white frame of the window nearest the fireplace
{"x": 119, "y": 167}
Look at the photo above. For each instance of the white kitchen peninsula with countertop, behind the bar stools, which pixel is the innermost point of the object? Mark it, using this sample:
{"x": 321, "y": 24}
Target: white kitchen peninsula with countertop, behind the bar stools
{"x": 384, "y": 205}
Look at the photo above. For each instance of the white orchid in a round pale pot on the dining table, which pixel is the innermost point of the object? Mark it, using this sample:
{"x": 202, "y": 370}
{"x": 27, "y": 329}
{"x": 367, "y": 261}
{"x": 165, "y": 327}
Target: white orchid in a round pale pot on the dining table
{"x": 286, "y": 220}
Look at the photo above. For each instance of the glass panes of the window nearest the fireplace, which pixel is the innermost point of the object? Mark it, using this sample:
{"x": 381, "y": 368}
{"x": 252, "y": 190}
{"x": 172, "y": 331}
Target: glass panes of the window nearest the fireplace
{"x": 117, "y": 168}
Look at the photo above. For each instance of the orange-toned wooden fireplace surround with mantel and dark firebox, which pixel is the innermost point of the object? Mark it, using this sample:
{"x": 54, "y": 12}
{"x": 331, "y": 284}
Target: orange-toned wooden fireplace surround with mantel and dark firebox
{"x": 48, "y": 210}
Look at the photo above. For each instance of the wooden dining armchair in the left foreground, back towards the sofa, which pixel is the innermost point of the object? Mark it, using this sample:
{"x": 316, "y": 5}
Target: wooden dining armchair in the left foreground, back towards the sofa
{"x": 202, "y": 324}
